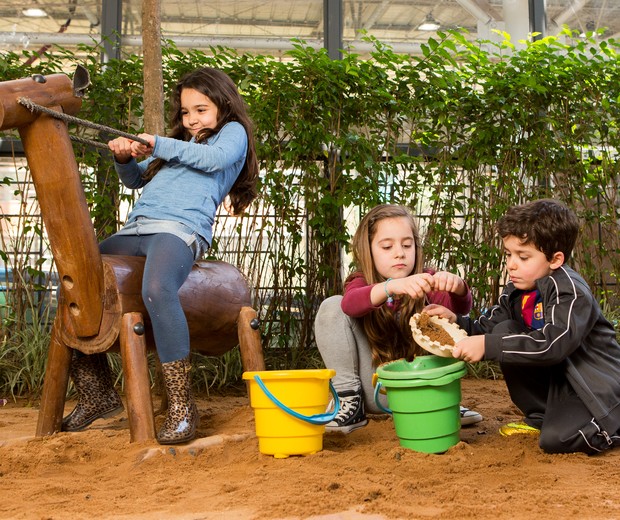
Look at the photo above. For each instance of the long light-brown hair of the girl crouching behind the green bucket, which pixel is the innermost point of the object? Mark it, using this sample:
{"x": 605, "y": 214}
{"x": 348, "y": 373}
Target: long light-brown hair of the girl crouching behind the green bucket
{"x": 389, "y": 334}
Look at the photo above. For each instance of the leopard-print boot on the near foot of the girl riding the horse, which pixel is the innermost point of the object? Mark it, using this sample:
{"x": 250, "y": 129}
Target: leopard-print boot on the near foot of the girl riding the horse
{"x": 182, "y": 417}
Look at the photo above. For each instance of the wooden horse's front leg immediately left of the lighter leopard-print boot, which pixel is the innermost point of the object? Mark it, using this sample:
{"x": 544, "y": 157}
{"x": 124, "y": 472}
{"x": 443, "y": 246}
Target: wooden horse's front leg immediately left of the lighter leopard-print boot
{"x": 136, "y": 372}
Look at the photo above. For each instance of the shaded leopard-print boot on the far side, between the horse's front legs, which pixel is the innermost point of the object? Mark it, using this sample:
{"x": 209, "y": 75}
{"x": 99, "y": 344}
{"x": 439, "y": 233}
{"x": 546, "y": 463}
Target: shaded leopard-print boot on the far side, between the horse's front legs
{"x": 97, "y": 398}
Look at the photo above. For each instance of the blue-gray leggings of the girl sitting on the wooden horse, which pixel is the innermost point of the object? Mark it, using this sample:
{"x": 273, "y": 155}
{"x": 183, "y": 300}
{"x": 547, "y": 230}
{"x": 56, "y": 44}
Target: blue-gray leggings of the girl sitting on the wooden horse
{"x": 168, "y": 263}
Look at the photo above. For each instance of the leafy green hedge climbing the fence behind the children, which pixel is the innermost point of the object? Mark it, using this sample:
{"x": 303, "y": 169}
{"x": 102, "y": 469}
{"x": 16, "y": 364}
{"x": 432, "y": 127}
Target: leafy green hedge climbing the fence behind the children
{"x": 459, "y": 134}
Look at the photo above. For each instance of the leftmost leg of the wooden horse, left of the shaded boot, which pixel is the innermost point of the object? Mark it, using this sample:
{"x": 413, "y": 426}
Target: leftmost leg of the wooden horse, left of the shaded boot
{"x": 55, "y": 384}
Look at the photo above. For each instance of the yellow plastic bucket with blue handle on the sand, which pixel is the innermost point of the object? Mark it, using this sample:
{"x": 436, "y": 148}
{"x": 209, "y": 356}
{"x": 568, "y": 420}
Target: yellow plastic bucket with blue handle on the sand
{"x": 289, "y": 409}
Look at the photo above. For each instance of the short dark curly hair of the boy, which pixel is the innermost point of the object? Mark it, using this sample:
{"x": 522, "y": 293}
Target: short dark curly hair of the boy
{"x": 546, "y": 223}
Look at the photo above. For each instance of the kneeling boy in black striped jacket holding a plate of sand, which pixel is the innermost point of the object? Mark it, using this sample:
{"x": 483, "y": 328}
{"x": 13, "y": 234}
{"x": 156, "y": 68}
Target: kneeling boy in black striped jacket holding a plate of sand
{"x": 558, "y": 354}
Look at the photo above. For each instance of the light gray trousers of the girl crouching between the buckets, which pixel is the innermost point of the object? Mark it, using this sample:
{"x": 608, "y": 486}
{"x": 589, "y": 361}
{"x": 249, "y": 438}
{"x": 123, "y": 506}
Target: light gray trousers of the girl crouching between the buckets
{"x": 343, "y": 345}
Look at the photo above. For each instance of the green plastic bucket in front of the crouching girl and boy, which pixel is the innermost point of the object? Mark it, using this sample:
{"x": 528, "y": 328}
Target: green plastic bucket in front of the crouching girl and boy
{"x": 423, "y": 396}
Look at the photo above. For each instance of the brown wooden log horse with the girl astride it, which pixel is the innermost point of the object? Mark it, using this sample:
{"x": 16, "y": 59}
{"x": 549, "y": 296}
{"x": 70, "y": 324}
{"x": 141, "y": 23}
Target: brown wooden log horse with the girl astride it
{"x": 100, "y": 305}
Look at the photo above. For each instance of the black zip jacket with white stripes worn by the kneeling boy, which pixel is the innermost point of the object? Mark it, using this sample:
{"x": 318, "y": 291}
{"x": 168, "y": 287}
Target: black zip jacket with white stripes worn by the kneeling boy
{"x": 575, "y": 334}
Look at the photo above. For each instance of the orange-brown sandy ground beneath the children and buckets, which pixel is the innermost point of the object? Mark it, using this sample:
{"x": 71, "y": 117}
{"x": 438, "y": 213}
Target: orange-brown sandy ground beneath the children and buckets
{"x": 366, "y": 475}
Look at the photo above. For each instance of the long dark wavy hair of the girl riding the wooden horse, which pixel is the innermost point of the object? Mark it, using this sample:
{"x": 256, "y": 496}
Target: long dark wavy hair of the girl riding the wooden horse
{"x": 220, "y": 89}
